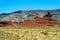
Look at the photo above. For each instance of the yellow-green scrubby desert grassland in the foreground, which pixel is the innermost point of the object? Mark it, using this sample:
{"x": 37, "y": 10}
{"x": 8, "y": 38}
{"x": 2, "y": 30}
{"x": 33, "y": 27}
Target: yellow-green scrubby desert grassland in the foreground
{"x": 30, "y": 34}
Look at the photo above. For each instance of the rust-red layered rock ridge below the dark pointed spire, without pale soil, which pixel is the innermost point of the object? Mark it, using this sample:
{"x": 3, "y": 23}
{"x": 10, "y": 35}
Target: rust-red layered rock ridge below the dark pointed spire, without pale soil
{"x": 35, "y": 23}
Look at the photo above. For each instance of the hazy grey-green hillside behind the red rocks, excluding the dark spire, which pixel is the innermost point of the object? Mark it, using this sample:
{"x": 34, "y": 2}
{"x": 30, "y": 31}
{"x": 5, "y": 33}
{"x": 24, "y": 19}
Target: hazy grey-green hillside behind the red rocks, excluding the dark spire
{"x": 17, "y": 16}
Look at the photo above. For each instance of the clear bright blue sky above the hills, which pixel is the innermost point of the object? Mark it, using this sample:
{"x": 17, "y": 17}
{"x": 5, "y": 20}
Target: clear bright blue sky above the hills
{"x": 7, "y": 6}
